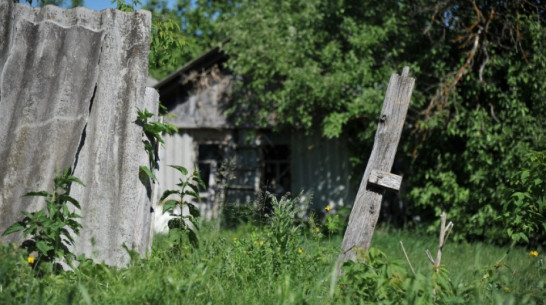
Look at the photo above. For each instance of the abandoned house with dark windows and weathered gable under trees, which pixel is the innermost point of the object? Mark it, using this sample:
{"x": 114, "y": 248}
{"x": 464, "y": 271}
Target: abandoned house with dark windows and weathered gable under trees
{"x": 236, "y": 163}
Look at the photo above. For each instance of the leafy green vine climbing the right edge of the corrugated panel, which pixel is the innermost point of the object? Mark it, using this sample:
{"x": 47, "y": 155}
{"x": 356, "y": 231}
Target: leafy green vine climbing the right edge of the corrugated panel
{"x": 153, "y": 131}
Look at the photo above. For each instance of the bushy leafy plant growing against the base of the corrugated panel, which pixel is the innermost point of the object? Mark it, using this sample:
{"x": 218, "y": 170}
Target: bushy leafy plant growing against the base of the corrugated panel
{"x": 49, "y": 230}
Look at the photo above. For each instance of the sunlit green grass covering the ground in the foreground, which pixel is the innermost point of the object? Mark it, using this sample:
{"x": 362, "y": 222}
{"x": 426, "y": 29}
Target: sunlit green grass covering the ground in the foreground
{"x": 249, "y": 266}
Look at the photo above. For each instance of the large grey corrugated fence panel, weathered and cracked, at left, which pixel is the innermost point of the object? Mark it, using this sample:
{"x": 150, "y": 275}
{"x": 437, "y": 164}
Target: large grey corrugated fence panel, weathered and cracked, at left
{"x": 70, "y": 85}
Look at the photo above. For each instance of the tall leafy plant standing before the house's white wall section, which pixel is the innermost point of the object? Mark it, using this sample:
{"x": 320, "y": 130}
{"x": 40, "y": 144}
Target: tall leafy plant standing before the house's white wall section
{"x": 188, "y": 186}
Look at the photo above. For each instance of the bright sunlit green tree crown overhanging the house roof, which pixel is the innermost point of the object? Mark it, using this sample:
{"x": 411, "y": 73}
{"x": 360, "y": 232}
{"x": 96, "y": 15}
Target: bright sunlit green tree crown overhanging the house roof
{"x": 313, "y": 64}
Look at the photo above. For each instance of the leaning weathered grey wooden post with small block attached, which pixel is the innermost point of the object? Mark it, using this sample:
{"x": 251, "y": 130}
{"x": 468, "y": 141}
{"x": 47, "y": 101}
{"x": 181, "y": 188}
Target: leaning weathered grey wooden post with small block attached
{"x": 377, "y": 176}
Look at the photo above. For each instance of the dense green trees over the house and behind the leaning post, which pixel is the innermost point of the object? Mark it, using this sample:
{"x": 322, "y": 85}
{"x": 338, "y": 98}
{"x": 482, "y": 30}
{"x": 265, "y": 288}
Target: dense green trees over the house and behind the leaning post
{"x": 477, "y": 109}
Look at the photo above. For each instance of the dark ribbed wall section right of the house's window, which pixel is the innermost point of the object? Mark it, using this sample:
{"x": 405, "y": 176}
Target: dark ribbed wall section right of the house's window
{"x": 320, "y": 166}
